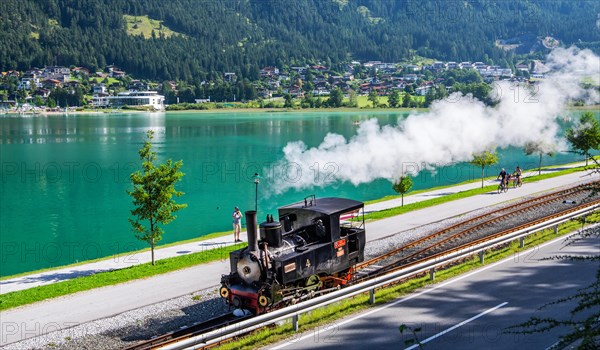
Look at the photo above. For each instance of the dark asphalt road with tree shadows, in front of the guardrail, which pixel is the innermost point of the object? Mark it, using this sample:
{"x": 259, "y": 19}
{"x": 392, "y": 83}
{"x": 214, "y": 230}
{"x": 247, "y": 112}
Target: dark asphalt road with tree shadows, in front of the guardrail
{"x": 471, "y": 311}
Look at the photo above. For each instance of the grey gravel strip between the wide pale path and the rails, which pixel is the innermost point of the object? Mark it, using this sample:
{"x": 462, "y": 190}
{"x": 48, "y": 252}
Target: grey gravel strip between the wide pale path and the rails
{"x": 140, "y": 324}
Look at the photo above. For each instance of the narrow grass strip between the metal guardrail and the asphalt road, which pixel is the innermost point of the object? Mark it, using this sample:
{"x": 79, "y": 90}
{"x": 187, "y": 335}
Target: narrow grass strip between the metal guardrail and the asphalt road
{"x": 327, "y": 314}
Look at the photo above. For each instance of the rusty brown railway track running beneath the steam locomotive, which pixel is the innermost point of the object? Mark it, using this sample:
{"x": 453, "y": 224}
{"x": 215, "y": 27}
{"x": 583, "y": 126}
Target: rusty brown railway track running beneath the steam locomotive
{"x": 468, "y": 232}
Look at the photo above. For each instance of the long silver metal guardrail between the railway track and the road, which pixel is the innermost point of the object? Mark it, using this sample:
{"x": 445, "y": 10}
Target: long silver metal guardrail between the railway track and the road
{"x": 294, "y": 311}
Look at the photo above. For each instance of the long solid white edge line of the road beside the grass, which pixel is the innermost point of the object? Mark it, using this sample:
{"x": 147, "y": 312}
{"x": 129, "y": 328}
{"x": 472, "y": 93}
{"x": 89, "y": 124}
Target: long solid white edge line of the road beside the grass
{"x": 338, "y": 324}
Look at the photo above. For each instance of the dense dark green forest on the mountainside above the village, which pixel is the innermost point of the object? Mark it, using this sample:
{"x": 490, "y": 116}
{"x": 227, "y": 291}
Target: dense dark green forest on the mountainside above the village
{"x": 241, "y": 36}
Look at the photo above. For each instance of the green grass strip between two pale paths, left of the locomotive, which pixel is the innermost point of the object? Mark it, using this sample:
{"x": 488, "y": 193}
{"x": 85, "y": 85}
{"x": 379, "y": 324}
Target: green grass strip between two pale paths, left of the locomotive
{"x": 102, "y": 279}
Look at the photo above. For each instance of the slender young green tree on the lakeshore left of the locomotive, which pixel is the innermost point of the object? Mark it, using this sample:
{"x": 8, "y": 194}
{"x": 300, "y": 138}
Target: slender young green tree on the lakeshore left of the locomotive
{"x": 153, "y": 191}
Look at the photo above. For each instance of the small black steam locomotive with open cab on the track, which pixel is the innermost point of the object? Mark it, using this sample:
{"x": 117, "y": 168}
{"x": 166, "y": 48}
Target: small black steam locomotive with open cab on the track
{"x": 310, "y": 250}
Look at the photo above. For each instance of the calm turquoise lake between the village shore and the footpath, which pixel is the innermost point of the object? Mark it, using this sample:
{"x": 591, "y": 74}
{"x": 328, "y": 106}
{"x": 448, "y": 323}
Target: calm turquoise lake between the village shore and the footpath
{"x": 64, "y": 178}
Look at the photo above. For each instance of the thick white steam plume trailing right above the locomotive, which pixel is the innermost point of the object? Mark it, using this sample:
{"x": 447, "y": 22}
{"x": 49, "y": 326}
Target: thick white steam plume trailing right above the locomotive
{"x": 451, "y": 131}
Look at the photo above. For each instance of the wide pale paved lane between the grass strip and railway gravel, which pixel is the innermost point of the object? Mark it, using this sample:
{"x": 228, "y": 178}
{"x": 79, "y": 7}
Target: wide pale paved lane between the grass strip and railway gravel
{"x": 64, "y": 312}
